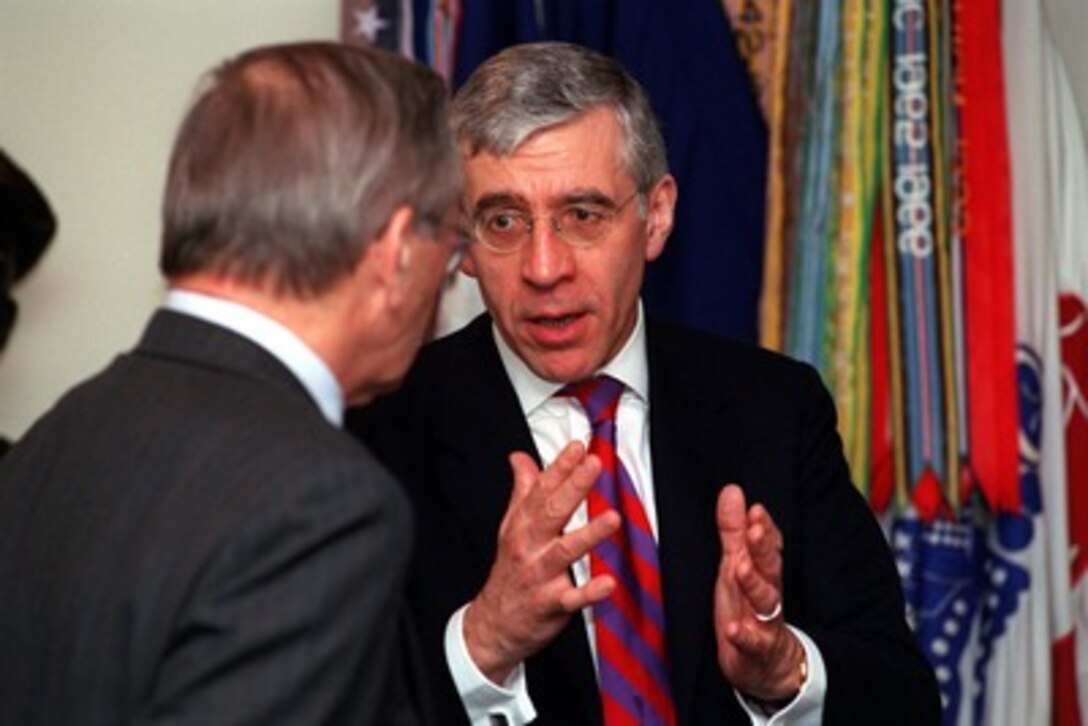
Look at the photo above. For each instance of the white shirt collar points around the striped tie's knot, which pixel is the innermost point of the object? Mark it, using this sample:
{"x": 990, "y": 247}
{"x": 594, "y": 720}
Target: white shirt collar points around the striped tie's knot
{"x": 629, "y": 366}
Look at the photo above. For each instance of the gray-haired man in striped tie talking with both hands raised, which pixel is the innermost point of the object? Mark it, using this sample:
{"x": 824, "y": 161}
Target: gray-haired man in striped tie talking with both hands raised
{"x": 629, "y": 586}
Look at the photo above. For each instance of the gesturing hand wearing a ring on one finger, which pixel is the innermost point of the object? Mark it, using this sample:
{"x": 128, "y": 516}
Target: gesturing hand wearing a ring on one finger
{"x": 758, "y": 654}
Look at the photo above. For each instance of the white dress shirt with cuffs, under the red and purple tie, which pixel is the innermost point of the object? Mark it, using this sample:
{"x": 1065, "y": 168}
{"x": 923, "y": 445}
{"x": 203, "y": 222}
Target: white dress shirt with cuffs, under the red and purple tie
{"x": 554, "y": 422}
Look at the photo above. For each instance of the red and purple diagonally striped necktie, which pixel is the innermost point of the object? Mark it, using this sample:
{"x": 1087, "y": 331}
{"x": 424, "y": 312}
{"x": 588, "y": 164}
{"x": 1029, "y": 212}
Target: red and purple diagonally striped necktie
{"x": 630, "y": 625}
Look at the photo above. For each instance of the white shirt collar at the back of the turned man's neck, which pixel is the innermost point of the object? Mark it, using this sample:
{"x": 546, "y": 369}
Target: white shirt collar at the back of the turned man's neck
{"x": 290, "y": 350}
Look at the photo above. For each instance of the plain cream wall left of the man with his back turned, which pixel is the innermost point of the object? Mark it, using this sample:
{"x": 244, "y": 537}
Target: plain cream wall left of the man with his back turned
{"x": 91, "y": 95}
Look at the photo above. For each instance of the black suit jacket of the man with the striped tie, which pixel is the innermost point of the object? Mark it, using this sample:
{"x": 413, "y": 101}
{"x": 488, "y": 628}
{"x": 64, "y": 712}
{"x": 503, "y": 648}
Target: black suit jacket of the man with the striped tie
{"x": 720, "y": 414}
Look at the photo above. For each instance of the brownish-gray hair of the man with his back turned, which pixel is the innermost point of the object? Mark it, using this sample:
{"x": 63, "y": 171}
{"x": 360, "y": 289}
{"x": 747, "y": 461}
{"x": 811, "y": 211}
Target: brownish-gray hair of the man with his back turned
{"x": 293, "y": 158}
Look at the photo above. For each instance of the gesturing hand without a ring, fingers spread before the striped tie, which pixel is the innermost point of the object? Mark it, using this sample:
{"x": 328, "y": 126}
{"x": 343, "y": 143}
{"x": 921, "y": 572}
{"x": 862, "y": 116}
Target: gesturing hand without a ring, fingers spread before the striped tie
{"x": 529, "y": 596}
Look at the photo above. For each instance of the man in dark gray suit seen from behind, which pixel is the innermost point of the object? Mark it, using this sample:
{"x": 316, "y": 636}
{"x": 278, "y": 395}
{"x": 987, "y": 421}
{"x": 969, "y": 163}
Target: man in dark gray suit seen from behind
{"x": 188, "y": 538}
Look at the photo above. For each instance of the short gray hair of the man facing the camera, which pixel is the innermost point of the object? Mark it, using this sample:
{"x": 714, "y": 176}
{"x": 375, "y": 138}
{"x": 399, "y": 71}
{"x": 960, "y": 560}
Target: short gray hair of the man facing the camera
{"x": 535, "y": 87}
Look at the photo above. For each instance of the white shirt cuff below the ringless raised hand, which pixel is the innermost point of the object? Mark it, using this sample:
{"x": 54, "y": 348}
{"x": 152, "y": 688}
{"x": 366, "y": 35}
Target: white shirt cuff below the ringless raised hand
{"x": 486, "y": 704}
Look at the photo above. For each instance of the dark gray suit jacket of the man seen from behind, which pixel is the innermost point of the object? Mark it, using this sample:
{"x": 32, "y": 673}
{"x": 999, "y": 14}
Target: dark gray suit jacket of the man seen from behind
{"x": 186, "y": 540}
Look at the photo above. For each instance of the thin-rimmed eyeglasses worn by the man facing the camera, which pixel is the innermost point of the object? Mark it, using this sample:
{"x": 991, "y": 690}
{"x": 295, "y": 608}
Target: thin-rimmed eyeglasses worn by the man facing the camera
{"x": 580, "y": 225}
